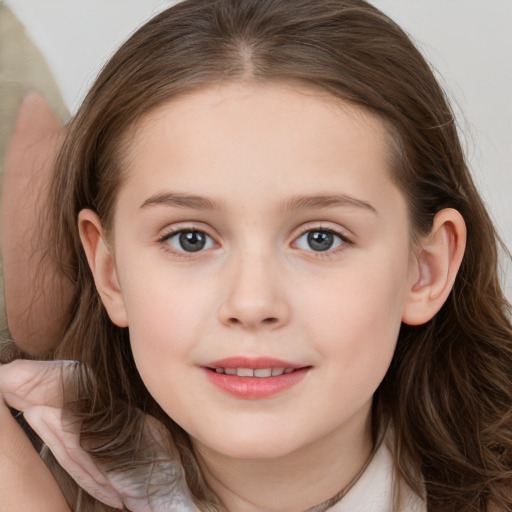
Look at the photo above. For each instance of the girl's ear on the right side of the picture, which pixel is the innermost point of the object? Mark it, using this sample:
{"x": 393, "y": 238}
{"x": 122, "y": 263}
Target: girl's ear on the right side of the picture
{"x": 435, "y": 267}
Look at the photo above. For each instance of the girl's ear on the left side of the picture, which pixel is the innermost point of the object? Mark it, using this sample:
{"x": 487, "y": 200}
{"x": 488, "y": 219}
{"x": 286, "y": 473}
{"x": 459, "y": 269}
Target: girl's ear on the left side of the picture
{"x": 101, "y": 262}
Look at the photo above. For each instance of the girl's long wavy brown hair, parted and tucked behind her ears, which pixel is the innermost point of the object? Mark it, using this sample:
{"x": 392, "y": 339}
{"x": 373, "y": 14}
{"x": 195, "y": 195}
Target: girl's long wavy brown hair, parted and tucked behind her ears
{"x": 448, "y": 392}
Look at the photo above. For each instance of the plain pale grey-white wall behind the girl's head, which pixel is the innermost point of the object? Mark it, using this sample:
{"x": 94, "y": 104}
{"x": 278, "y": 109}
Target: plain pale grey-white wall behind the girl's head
{"x": 469, "y": 42}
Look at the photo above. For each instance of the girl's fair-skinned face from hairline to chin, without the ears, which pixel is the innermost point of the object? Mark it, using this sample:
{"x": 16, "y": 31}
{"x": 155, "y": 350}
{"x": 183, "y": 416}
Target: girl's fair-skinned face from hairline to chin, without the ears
{"x": 263, "y": 260}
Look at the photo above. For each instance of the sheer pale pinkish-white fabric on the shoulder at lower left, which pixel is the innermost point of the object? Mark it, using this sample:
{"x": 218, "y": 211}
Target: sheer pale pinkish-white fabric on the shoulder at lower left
{"x": 155, "y": 483}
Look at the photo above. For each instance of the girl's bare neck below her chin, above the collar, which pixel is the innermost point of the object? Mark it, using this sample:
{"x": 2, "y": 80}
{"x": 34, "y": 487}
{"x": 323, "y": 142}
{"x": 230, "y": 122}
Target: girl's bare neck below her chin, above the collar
{"x": 299, "y": 480}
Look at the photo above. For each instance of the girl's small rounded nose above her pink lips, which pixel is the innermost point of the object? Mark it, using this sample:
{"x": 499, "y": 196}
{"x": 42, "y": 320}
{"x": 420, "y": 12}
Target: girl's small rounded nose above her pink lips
{"x": 254, "y": 297}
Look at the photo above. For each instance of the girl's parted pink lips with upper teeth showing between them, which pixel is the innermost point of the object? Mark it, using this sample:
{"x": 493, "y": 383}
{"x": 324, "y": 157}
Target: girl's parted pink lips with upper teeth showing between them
{"x": 254, "y": 379}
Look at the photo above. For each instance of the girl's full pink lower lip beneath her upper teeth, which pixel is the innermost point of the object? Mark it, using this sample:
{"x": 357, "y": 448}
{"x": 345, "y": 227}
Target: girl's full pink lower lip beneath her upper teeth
{"x": 255, "y": 388}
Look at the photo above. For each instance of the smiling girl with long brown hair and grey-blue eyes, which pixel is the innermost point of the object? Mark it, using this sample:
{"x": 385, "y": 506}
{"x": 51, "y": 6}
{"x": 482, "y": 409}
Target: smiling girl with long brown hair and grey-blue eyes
{"x": 274, "y": 290}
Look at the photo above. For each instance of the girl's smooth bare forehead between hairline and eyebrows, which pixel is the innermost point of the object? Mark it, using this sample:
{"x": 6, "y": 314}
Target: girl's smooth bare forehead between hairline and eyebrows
{"x": 253, "y": 141}
